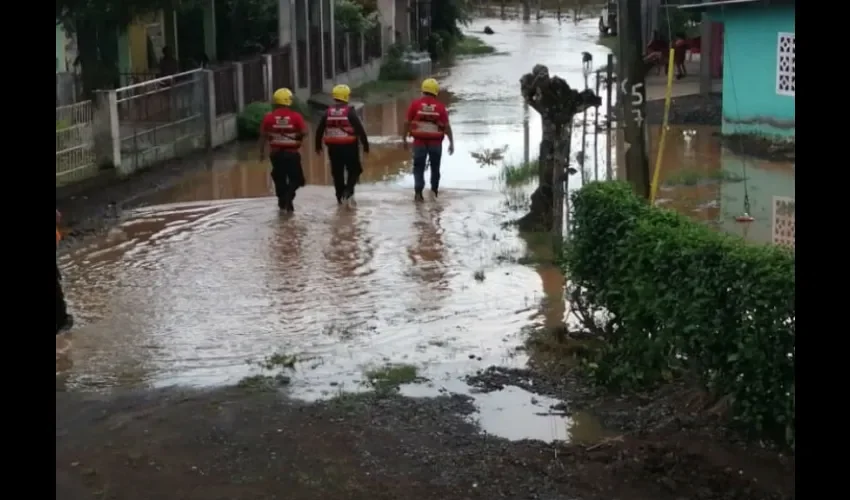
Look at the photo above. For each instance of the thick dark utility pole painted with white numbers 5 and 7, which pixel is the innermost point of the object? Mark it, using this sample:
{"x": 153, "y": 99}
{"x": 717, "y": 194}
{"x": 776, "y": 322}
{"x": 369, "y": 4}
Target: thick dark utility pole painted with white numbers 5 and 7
{"x": 633, "y": 92}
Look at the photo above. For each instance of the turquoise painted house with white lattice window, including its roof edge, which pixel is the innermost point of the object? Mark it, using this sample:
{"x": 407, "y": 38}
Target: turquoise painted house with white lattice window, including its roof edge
{"x": 758, "y": 65}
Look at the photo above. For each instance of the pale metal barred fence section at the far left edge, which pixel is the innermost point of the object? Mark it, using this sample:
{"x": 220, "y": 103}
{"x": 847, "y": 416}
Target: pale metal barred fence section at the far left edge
{"x": 75, "y": 157}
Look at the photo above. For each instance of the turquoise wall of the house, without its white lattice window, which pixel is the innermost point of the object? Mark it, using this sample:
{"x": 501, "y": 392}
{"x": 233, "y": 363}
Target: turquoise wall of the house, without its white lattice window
{"x": 751, "y": 103}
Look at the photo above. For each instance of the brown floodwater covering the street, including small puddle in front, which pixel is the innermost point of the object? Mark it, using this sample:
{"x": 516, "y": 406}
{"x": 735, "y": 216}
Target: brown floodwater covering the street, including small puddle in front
{"x": 208, "y": 280}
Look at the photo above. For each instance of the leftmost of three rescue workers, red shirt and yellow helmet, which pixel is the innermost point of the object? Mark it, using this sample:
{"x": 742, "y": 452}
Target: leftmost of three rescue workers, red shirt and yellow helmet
{"x": 283, "y": 129}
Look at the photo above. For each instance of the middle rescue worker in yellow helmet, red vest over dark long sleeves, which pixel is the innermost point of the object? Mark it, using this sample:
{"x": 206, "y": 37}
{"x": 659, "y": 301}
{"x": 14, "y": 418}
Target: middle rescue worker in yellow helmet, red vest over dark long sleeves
{"x": 340, "y": 129}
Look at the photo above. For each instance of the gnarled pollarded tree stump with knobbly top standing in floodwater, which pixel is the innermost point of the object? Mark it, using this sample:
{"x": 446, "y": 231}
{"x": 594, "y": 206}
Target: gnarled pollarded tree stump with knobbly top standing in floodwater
{"x": 557, "y": 105}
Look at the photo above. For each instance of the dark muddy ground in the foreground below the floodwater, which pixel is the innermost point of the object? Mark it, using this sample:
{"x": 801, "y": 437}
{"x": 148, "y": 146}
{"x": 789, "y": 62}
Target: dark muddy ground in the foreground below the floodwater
{"x": 238, "y": 443}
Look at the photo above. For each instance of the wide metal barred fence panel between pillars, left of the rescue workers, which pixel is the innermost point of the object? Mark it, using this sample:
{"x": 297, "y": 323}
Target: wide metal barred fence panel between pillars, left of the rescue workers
{"x": 161, "y": 119}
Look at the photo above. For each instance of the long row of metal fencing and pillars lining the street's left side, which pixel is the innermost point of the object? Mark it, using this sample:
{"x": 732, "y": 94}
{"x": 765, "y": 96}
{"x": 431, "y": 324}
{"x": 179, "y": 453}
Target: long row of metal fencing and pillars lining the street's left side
{"x": 151, "y": 120}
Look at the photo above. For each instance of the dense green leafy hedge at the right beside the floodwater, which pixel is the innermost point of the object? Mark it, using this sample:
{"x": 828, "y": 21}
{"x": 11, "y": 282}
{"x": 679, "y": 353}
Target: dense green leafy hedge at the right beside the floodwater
{"x": 684, "y": 299}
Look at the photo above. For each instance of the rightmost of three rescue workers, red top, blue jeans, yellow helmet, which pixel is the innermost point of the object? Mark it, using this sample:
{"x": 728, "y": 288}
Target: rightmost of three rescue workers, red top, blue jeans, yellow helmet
{"x": 427, "y": 122}
